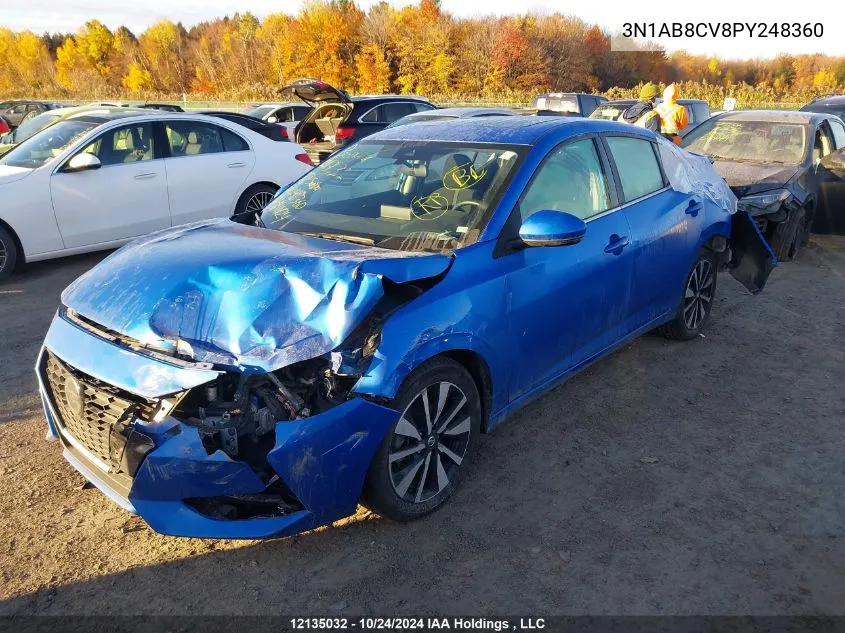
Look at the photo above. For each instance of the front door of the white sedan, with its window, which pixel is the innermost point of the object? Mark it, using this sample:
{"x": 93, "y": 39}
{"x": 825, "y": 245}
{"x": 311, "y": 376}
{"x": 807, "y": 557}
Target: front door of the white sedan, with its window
{"x": 124, "y": 198}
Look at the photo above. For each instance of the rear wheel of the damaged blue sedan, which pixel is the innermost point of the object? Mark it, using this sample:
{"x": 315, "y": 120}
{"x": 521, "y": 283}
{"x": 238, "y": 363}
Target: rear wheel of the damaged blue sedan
{"x": 703, "y": 291}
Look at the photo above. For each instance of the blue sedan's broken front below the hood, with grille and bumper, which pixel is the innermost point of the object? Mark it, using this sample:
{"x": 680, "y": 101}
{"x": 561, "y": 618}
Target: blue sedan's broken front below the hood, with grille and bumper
{"x": 237, "y": 456}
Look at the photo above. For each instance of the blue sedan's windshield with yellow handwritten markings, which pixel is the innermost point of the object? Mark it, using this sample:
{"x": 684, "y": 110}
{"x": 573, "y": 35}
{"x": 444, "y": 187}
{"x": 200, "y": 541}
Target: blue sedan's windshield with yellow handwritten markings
{"x": 412, "y": 196}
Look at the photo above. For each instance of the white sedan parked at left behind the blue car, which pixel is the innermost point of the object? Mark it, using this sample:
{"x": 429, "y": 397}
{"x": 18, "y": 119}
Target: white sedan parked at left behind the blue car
{"x": 97, "y": 181}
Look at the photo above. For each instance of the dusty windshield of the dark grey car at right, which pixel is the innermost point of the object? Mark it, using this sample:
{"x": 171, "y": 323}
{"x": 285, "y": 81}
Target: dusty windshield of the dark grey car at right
{"x": 749, "y": 141}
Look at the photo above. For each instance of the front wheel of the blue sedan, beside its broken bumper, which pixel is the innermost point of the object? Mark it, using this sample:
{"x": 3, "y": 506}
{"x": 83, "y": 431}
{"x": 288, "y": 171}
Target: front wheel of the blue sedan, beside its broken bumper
{"x": 420, "y": 481}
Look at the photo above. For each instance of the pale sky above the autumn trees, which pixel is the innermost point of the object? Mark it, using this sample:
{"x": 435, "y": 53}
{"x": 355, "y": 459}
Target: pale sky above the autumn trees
{"x": 68, "y": 15}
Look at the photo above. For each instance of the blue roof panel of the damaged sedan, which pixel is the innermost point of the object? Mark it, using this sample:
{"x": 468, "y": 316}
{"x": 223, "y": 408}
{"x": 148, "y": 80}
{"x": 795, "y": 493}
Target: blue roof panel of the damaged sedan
{"x": 509, "y": 130}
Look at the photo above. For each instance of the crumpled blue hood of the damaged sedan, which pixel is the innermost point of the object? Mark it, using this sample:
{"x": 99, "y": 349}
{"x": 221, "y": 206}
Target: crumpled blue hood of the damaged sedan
{"x": 241, "y": 296}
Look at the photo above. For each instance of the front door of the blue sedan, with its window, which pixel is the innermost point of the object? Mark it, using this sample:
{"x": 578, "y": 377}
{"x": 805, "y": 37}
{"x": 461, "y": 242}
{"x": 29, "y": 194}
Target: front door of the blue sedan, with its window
{"x": 567, "y": 303}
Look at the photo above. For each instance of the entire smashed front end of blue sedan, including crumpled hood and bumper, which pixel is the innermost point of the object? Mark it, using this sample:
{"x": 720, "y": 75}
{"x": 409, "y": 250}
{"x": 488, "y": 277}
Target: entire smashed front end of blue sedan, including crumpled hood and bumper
{"x": 271, "y": 442}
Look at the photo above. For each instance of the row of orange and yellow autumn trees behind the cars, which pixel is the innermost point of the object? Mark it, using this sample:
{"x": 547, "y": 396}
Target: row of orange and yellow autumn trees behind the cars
{"x": 417, "y": 49}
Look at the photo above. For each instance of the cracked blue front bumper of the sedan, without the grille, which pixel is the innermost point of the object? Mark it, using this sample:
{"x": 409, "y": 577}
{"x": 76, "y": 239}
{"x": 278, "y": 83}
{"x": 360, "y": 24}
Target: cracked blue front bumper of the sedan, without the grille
{"x": 322, "y": 460}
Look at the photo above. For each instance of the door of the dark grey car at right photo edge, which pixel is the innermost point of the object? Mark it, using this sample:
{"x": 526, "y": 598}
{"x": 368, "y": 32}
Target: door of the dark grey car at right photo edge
{"x": 830, "y": 175}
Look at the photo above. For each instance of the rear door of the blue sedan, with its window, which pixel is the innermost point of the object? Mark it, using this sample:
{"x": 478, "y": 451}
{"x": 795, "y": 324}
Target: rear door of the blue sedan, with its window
{"x": 665, "y": 226}
